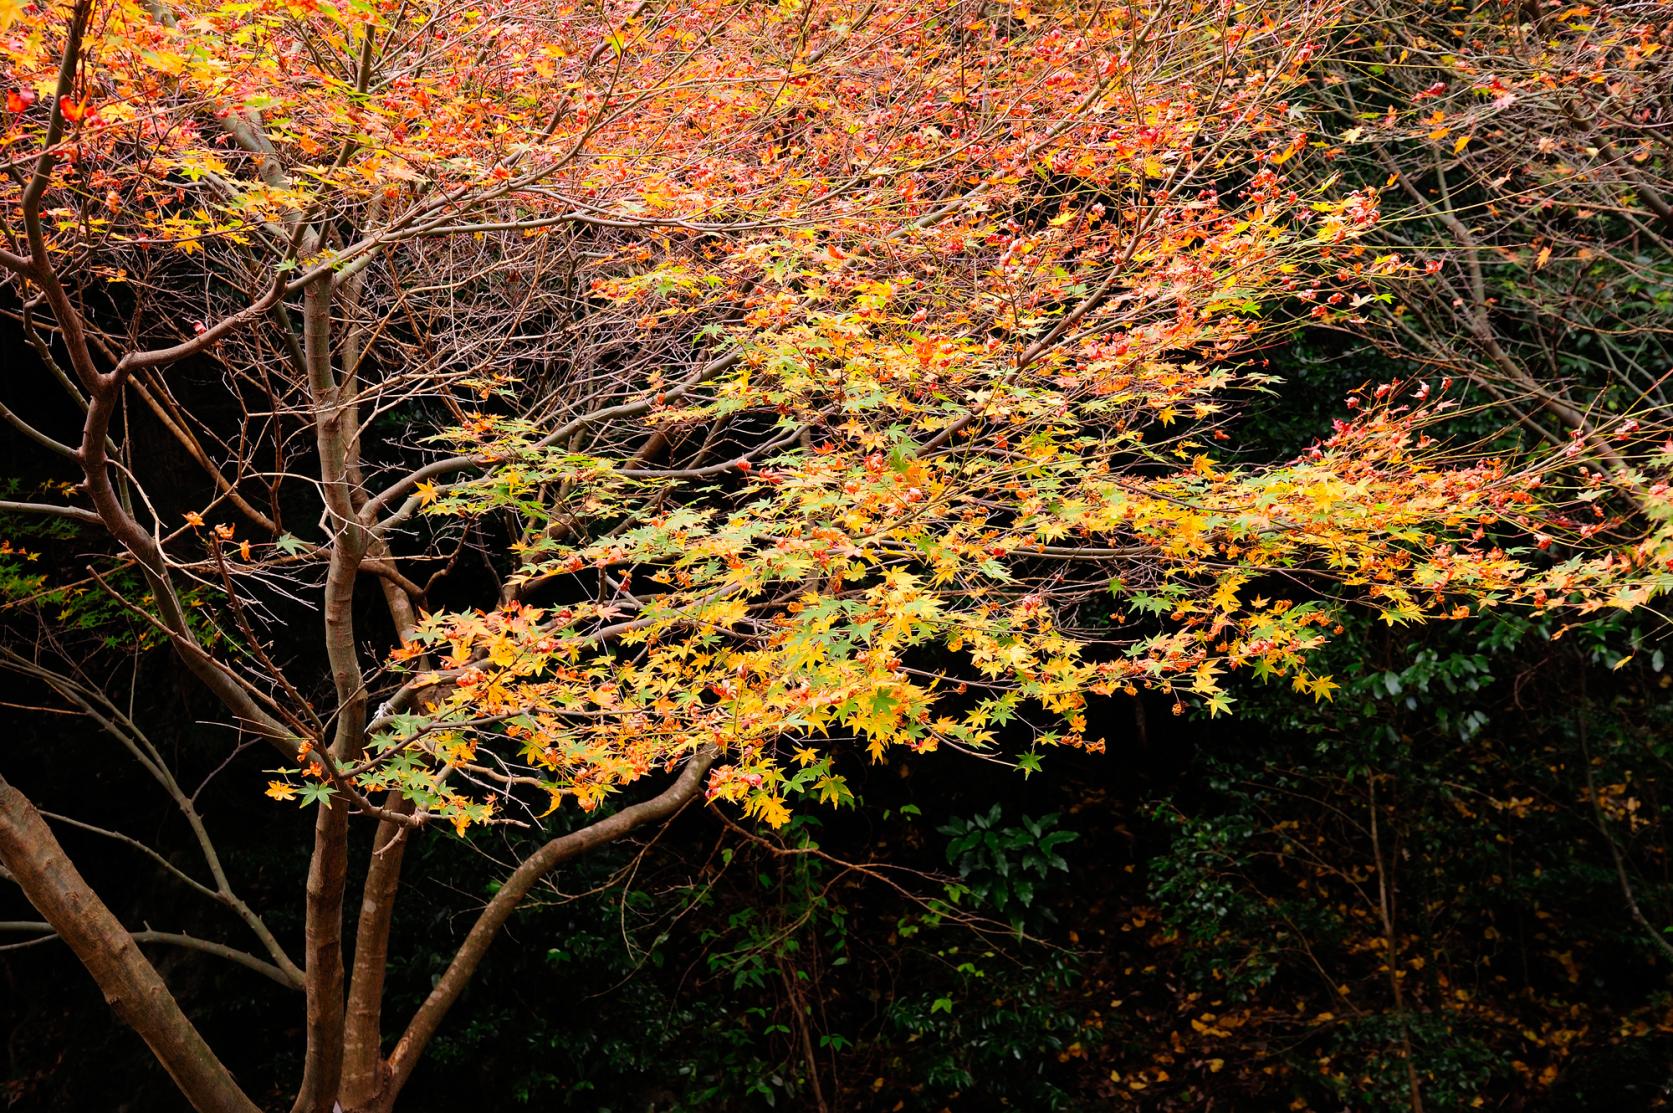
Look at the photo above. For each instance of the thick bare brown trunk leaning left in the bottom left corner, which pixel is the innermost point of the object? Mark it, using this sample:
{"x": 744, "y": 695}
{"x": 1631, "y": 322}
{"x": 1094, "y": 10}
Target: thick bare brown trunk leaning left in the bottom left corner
{"x": 110, "y": 953}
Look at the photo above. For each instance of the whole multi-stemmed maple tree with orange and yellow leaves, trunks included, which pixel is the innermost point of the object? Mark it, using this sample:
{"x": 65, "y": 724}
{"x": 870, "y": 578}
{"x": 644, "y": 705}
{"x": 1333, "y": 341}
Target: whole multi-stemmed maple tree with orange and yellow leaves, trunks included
{"x": 799, "y": 376}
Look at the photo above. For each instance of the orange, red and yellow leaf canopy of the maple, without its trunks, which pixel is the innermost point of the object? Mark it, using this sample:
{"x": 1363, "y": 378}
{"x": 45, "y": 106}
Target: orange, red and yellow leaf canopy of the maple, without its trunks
{"x": 980, "y": 279}
